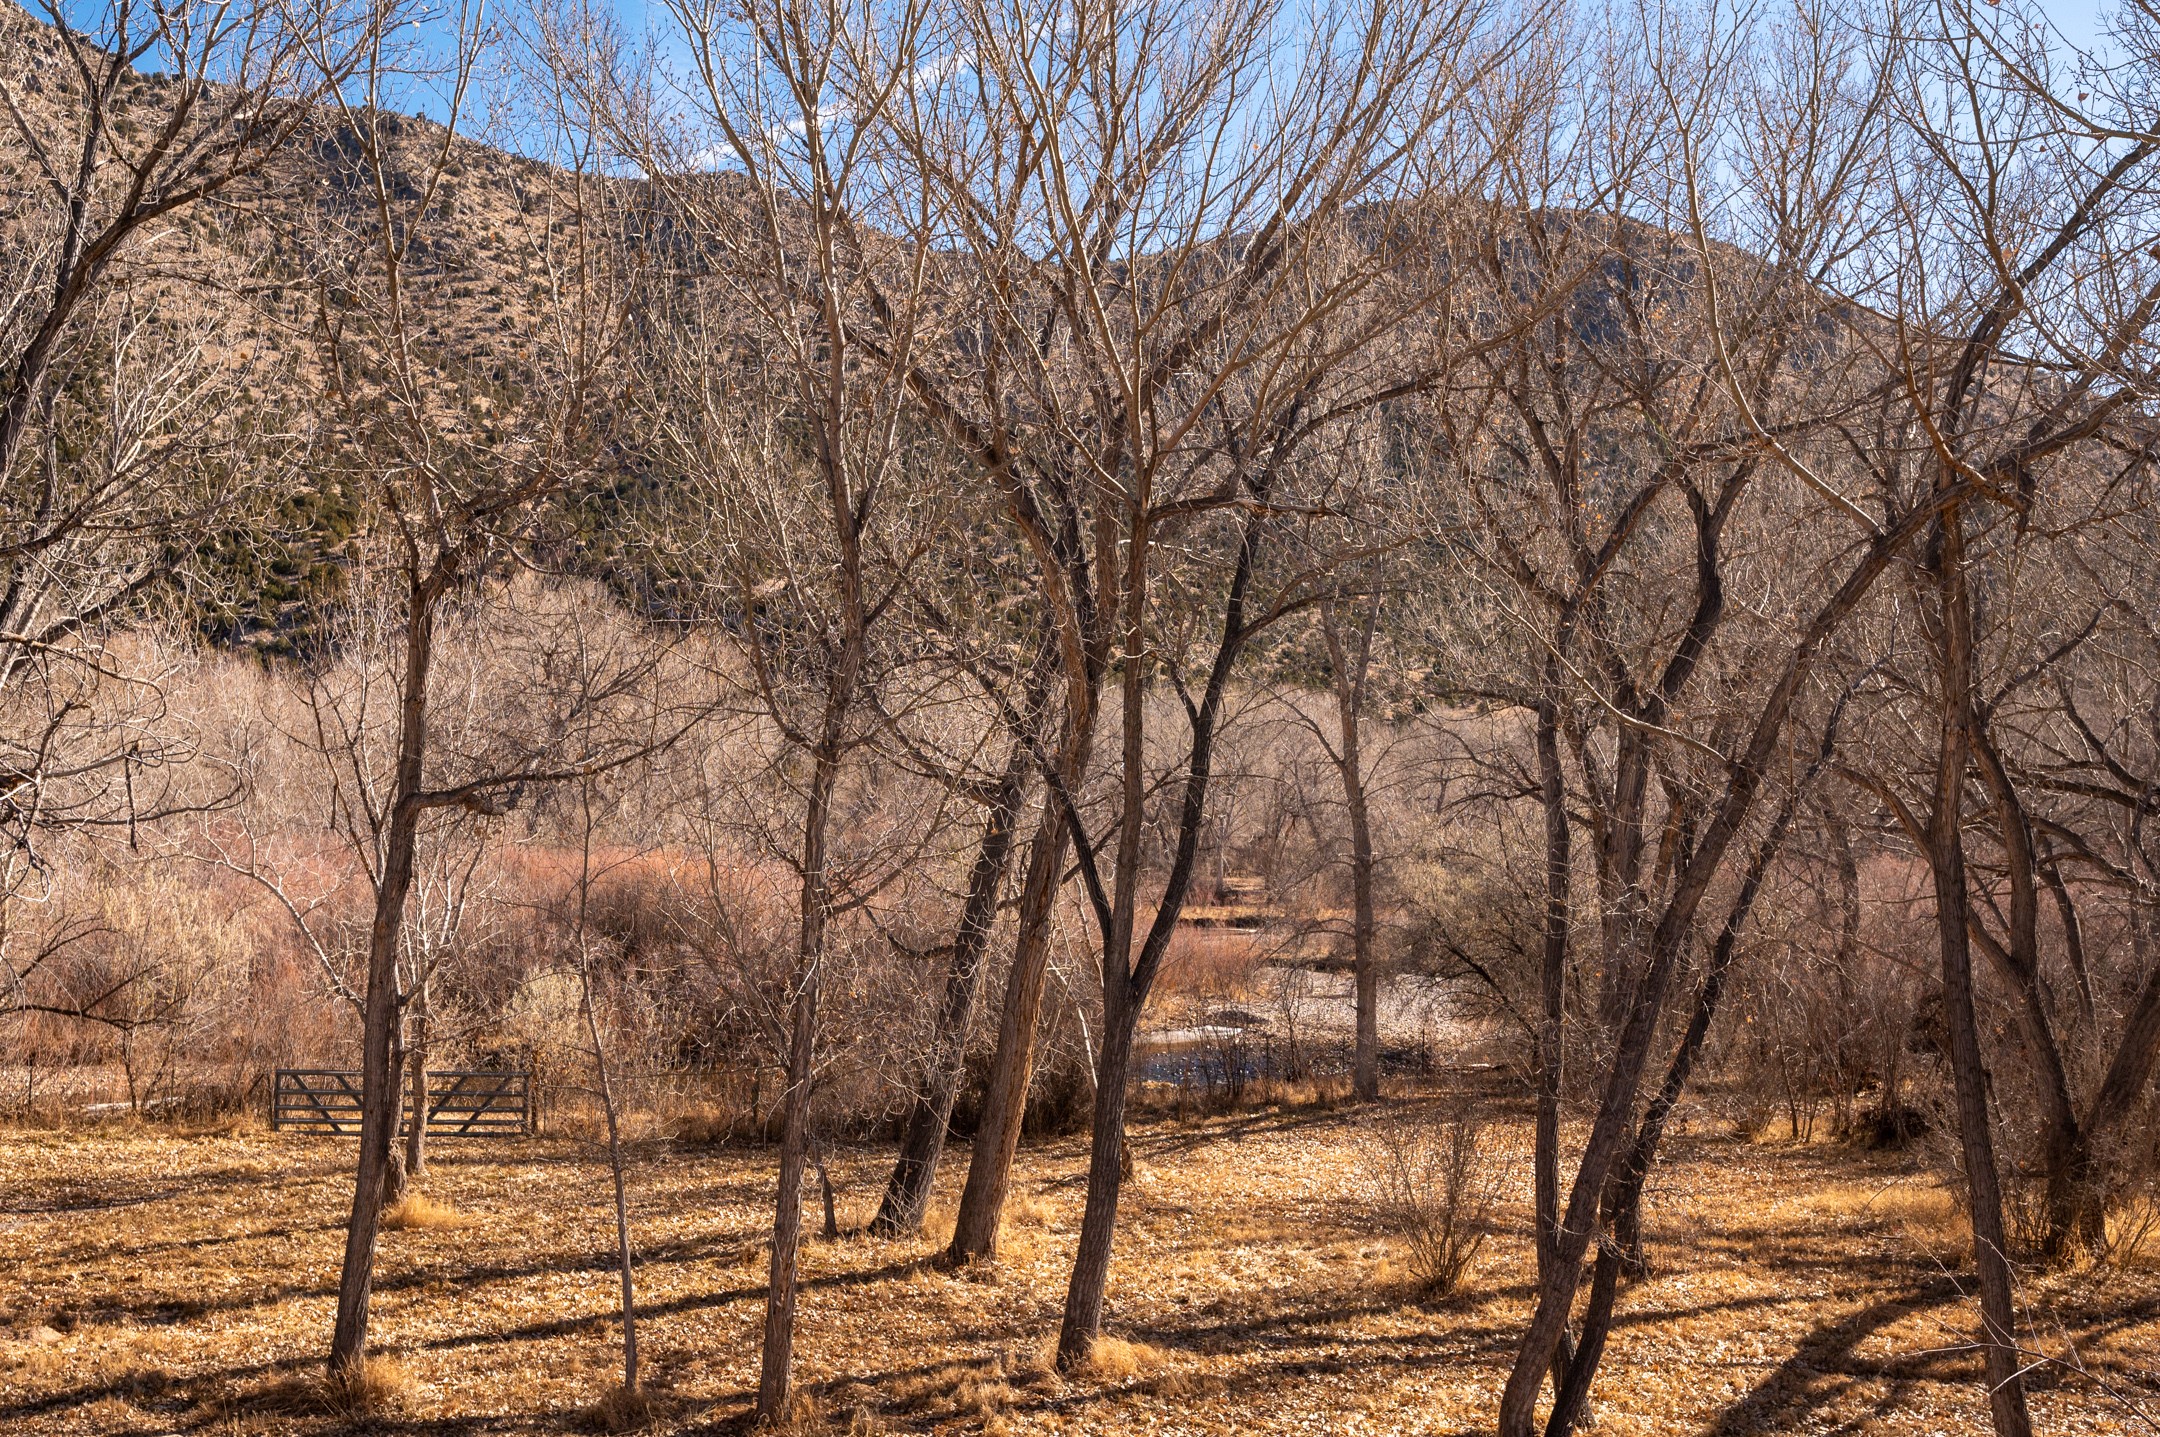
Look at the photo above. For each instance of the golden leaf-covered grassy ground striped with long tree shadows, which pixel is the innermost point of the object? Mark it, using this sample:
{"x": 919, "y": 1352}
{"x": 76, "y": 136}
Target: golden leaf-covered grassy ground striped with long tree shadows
{"x": 154, "y": 1282}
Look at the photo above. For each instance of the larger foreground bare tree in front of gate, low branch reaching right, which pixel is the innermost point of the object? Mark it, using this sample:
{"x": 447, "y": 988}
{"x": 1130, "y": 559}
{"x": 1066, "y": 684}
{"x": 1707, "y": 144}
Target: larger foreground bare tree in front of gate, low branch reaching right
{"x": 453, "y": 496}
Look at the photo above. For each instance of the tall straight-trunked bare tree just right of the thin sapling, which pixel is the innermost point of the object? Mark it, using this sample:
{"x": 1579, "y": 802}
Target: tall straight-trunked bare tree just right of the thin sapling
{"x": 787, "y": 422}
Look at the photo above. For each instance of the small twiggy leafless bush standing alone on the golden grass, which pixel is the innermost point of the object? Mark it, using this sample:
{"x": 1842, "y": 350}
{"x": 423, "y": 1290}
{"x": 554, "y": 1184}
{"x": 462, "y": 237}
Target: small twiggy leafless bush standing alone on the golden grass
{"x": 1437, "y": 1187}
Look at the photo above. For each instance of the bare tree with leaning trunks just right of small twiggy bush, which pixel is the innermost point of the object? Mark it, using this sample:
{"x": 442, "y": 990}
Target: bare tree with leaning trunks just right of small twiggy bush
{"x": 1645, "y": 466}
